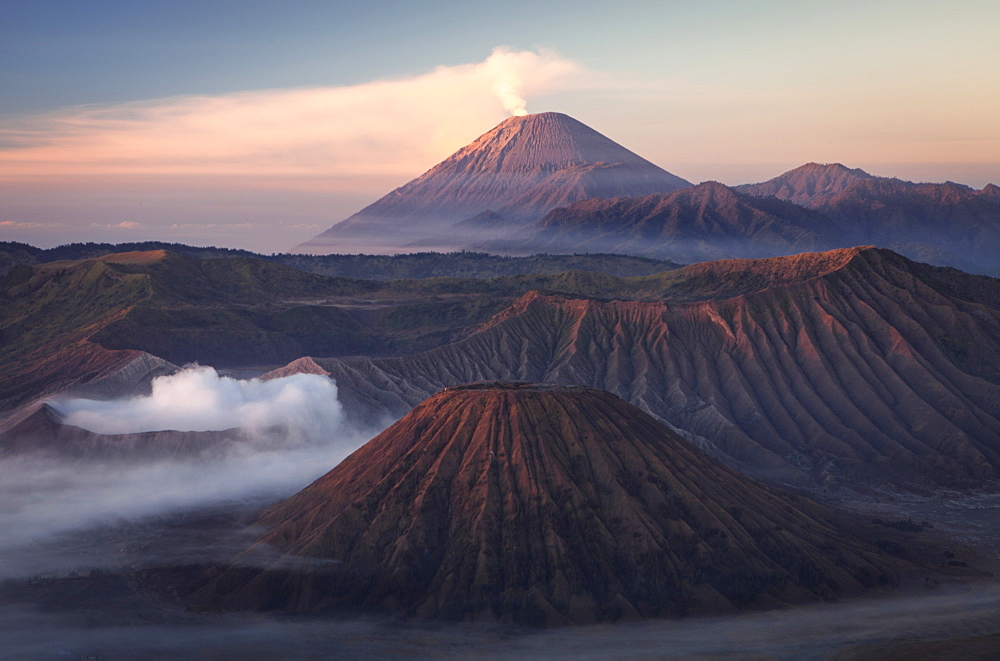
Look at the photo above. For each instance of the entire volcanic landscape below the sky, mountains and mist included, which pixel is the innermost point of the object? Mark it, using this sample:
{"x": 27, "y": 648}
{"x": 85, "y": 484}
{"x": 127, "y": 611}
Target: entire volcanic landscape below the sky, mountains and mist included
{"x": 797, "y": 432}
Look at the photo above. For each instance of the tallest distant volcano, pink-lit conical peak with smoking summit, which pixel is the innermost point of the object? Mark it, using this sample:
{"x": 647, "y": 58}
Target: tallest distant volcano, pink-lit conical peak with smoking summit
{"x": 509, "y": 176}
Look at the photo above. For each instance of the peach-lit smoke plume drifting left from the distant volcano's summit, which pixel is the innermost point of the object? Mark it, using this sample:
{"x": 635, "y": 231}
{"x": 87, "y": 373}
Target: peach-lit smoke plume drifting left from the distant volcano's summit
{"x": 384, "y": 127}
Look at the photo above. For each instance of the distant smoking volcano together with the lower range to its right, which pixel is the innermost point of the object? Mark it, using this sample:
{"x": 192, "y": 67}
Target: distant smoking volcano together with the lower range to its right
{"x": 547, "y": 183}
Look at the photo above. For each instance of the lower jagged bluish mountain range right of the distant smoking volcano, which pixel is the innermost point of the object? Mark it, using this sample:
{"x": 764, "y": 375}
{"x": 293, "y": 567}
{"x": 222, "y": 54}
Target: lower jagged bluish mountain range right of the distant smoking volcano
{"x": 814, "y": 207}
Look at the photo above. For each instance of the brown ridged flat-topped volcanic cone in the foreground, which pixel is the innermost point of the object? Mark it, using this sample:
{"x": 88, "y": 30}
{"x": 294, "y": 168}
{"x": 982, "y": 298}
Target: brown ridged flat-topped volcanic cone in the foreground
{"x": 543, "y": 504}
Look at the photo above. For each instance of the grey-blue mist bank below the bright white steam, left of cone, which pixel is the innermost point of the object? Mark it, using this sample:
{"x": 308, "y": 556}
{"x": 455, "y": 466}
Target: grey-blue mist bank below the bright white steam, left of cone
{"x": 45, "y": 497}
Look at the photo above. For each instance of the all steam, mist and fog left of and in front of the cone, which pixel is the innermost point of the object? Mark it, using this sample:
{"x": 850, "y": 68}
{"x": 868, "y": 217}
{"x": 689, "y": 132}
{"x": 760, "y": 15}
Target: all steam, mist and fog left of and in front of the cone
{"x": 62, "y": 518}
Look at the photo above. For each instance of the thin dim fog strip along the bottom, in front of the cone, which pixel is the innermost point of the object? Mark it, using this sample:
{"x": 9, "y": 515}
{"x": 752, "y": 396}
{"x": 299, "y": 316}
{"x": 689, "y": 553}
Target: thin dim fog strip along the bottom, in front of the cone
{"x": 810, "y": 632}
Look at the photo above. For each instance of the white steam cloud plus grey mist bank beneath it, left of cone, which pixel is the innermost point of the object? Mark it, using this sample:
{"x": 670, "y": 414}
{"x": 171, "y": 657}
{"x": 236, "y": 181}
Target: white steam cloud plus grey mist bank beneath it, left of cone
{"x": 294, "y": 432}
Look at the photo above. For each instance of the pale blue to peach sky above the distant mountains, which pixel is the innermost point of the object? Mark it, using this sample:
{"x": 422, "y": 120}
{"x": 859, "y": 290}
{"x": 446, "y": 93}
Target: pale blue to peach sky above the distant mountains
{"x": 734, "y": 91}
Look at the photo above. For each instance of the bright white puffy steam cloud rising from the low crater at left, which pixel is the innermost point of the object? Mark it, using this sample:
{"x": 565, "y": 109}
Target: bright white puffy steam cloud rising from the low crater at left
{"x": 198, "y": 399}
